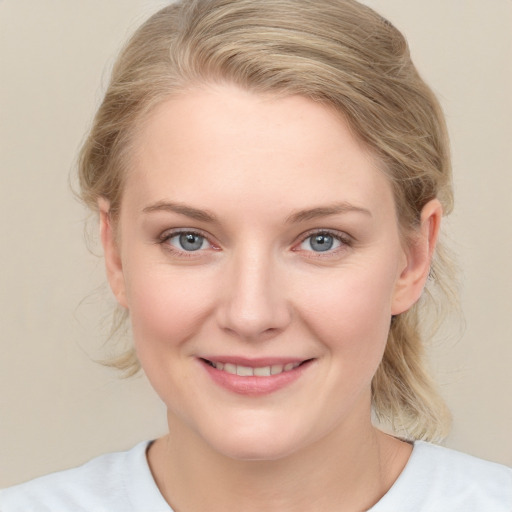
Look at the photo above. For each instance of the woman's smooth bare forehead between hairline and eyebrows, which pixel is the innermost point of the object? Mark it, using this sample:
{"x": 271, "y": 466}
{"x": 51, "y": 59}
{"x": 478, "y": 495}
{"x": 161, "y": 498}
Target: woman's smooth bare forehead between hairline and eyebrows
{"x": 223, "y": 143}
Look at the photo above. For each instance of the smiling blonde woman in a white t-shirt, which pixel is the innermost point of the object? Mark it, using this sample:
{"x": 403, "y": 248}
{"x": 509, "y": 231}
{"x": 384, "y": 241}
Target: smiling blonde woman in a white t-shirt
{"x": 270, "y": 178}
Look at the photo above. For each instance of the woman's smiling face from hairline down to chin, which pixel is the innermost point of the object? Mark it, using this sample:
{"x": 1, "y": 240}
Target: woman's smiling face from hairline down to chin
{"x": 260, "y": 259}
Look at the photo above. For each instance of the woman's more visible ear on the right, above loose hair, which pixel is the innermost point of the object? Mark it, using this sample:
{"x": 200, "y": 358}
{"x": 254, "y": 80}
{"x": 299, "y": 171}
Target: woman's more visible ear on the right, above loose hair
{"x": 413, "y": 277}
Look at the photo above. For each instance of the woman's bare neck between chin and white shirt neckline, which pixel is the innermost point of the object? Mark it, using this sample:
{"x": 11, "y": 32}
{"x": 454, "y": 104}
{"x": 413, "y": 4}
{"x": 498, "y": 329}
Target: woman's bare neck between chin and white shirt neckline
{"x": 348, "y": 470}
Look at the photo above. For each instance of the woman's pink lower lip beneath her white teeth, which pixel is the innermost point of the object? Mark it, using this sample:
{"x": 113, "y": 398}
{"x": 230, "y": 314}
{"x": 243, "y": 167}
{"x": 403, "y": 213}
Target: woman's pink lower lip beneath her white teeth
{"x": 254, "y": 386}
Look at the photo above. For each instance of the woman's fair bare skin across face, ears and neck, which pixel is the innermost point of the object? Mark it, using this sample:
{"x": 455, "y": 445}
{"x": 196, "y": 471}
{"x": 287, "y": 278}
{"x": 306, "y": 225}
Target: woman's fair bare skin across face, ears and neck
{"x": 257, "y": 288}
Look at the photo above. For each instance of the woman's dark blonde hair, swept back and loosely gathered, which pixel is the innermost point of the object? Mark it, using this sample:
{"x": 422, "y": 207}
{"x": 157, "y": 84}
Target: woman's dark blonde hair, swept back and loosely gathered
{"x": 339, "y": 53}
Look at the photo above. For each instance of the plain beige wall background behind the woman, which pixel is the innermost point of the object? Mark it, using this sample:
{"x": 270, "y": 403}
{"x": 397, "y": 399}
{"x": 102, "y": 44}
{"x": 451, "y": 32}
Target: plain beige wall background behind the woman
{"x": 57, "y": 407}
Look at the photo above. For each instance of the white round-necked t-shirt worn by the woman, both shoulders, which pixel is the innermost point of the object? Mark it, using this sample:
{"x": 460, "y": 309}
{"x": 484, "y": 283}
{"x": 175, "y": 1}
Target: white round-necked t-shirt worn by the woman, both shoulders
{"x": 435, "y": 479}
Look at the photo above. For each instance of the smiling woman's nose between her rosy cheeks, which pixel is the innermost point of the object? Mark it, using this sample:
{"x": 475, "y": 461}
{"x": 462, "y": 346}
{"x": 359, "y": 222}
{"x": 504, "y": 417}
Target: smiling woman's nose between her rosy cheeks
{"x": 254, "y": 304}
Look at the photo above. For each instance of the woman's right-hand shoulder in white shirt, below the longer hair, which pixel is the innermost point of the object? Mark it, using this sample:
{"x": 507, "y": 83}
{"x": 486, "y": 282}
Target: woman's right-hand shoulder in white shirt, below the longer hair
{"x": 438, "y": 479}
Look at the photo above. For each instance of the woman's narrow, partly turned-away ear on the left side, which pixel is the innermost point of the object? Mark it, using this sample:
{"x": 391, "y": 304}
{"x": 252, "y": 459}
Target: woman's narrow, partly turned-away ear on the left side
{"x": 113, "y": 262}
